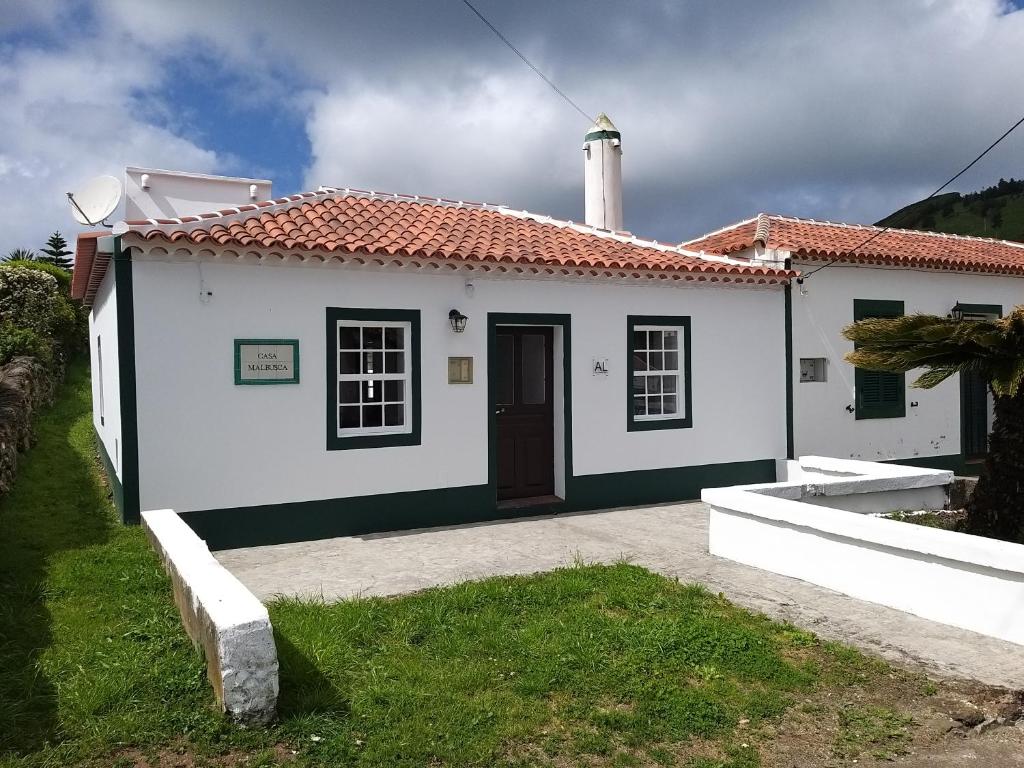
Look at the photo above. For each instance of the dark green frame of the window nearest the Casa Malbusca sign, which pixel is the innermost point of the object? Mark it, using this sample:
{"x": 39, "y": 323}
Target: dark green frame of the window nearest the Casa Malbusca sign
{"x": 336, "y": 443}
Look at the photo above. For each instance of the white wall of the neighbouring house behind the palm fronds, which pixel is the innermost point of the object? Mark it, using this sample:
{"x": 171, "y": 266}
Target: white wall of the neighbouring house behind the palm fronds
{"x": 822, "y": 423}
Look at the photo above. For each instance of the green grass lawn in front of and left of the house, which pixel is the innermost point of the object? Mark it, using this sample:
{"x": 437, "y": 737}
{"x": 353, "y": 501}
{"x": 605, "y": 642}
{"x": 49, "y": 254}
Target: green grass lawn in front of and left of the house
{"x": 609, "y": 666}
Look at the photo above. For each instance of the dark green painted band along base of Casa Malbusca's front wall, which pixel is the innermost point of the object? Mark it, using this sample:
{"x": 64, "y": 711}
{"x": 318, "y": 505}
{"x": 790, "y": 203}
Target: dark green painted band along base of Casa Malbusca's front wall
{"x": 298, "y": 522}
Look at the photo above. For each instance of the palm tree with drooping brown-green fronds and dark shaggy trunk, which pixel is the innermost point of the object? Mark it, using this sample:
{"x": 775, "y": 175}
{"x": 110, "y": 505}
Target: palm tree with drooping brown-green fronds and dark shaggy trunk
{"x": 944, "y": 347}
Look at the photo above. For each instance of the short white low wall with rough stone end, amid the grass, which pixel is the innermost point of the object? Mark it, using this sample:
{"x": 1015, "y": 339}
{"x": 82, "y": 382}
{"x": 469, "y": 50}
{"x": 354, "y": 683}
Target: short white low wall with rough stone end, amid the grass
{"x": 223, "y": 618}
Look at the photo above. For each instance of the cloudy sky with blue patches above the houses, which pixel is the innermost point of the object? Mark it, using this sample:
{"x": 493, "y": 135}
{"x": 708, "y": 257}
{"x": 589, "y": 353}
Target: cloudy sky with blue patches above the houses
{"x": 832, "y": 110}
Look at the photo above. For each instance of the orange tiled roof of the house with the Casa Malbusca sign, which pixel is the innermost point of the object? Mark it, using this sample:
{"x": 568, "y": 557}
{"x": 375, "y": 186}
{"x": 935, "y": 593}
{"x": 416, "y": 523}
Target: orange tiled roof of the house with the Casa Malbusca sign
{"x": 350, "y": 226}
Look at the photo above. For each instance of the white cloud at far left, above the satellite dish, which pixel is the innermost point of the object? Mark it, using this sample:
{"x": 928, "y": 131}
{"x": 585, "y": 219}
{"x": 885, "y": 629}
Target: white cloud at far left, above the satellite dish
{"x": 69, "y": 116}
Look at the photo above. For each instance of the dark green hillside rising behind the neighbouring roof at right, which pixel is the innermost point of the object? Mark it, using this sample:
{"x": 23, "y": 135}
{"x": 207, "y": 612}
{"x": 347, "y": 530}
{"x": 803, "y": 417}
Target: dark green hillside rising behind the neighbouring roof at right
{"x": 995, "y": 212}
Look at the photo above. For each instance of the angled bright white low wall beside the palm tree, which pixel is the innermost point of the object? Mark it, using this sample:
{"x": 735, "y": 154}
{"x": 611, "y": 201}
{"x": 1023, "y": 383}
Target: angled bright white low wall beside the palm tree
{"x": 964, "y": 581}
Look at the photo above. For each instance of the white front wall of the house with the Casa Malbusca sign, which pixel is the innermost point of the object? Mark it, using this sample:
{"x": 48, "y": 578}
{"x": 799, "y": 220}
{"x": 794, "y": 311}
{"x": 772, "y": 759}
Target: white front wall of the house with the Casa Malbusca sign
{"x": 206, "y": 443}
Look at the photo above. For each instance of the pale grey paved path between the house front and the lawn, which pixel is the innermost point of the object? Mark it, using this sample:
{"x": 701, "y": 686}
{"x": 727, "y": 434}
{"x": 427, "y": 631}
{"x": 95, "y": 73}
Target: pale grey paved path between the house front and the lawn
{"x": 670, "y": 540}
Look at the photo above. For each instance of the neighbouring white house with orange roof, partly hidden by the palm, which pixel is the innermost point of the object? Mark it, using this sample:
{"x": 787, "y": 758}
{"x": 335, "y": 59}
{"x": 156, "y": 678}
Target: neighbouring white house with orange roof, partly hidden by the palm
{"x": 847, "y": 413}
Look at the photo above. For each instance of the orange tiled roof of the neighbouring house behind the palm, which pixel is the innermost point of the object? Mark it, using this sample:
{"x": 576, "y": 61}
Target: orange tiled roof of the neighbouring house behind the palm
{"x": 826, "y": 241}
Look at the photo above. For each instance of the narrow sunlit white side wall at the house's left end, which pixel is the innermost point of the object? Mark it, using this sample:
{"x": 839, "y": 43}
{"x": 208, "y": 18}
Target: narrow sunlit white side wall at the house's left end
{"x": 104, "y": 324}
